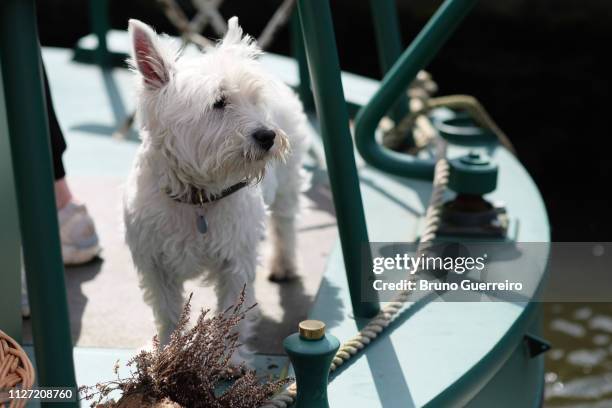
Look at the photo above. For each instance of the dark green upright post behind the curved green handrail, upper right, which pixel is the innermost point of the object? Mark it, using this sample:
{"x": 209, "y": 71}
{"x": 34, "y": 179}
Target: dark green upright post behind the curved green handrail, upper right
{"x": 389, "y": 46}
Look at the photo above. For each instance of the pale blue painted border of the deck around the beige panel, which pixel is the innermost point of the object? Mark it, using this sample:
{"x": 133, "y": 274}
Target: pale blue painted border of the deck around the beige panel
{"x": 442, "y": 355}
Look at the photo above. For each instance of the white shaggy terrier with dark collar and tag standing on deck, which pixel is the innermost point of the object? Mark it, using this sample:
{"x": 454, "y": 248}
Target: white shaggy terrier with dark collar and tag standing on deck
{"x": 222, "y": 142}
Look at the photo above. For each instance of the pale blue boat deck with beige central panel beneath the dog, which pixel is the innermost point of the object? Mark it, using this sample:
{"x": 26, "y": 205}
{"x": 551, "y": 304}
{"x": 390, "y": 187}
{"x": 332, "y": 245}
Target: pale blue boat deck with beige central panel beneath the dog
{"x": 442, "y": 353}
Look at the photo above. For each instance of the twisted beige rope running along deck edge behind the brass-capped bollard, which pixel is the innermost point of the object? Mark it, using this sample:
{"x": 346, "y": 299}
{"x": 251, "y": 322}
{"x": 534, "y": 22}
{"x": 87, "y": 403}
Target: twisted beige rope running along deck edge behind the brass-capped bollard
{"x": 390, "y": 311}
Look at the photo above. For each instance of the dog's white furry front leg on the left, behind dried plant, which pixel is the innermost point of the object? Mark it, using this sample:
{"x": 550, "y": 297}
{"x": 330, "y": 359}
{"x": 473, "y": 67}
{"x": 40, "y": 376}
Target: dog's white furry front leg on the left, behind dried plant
{"x": 164, "y": 294}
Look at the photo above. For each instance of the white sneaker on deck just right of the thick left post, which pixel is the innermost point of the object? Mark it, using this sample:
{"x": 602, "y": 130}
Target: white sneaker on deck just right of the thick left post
{"x": 78, "y": 235}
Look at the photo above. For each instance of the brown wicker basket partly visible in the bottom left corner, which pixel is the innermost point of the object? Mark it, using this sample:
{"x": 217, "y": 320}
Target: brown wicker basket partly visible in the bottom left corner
{"x": 16, "y": 370}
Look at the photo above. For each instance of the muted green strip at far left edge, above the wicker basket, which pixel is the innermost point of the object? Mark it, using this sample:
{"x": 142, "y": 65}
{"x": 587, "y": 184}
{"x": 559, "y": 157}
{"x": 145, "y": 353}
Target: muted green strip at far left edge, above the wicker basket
{"x": 10, "y": 246}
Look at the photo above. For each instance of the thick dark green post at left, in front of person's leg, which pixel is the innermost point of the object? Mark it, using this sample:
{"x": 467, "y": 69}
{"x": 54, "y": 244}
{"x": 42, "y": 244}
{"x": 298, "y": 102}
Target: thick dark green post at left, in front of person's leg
{"x": 31, "y": 153}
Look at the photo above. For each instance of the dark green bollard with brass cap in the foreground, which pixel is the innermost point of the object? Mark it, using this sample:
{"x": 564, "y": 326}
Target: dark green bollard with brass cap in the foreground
{"x": 311, "y": 352}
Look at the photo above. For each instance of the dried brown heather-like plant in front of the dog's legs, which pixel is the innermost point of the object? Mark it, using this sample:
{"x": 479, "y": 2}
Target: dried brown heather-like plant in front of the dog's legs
{"x": 190, "y": 369}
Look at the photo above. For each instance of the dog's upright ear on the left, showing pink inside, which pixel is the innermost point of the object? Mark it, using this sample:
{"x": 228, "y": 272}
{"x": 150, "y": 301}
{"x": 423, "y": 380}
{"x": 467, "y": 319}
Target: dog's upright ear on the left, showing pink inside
{"x": 148, "y": 56}
